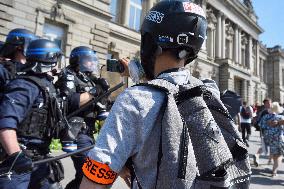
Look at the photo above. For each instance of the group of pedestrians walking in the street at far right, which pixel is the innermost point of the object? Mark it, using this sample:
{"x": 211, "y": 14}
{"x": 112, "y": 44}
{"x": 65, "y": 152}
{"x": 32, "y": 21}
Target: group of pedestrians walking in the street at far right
{"x": 268, "y": 120}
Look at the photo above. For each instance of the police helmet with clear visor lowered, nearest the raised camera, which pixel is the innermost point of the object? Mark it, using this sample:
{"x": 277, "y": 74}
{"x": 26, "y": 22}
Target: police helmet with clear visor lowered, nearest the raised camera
{"x": 85, "y": 58}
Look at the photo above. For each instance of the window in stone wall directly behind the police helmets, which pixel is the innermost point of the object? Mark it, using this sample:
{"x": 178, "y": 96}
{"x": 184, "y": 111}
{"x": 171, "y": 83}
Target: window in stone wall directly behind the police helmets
{"x": 55, "y": 32}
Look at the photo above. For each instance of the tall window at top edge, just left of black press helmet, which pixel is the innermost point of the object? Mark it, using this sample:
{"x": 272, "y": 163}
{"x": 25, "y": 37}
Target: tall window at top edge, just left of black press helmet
{"x": 135, "y": 14}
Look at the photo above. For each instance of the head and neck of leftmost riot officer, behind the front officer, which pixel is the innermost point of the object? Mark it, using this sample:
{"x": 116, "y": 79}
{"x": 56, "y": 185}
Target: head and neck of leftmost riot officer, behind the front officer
{"x": 13, "y": 51}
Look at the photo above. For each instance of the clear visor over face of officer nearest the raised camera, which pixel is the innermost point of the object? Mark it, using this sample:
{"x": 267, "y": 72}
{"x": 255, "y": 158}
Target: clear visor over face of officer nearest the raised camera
{"x": 89, "y": 63}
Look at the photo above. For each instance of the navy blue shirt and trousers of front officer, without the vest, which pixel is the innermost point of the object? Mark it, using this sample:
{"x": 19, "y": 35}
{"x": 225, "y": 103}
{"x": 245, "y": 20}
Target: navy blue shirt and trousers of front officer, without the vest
{"x": 20, "y": 97}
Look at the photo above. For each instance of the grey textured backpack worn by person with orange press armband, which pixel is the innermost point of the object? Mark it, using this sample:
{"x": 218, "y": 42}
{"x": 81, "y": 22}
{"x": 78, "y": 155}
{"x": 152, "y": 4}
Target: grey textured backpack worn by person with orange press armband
{"x": 199, "y": 144}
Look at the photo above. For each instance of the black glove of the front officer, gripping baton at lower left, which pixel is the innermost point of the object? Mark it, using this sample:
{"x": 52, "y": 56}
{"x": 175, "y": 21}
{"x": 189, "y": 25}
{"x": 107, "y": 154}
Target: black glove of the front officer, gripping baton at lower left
{"x": 22, "y": 163}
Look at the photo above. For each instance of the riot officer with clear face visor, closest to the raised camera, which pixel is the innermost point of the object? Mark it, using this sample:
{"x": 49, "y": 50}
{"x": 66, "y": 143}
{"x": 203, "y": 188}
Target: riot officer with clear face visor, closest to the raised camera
{"x": 79, "y": 77}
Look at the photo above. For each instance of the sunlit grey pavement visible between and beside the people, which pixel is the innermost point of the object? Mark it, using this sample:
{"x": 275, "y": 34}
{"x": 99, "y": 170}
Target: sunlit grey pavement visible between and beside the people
{"x": 260, "y": 179}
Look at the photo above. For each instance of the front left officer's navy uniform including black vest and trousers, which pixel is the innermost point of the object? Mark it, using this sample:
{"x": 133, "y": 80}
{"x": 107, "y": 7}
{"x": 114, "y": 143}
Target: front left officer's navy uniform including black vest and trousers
{"x": 26, "y": 112}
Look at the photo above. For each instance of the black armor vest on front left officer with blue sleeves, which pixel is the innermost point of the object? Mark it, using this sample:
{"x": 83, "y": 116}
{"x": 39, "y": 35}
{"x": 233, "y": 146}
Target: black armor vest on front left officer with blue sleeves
{"x": 41, "y": 119}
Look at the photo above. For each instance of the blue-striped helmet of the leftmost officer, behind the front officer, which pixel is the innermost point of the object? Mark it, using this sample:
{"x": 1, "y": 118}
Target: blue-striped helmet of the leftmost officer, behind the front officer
{"x": 17, "y": 37}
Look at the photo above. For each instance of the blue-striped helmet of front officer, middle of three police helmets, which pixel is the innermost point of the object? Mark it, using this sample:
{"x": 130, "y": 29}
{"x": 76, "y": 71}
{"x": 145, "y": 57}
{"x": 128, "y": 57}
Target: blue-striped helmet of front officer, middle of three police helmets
{"x": 43, "y": 55}
